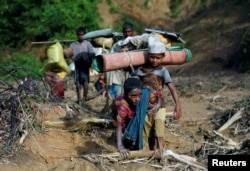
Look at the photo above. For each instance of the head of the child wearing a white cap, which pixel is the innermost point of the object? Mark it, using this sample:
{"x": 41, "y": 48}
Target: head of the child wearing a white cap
{"x": 156, "y": 53}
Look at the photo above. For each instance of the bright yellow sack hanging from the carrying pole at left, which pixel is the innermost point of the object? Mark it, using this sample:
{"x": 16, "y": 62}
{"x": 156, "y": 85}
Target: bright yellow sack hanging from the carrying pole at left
{"x": 56, "y": 62}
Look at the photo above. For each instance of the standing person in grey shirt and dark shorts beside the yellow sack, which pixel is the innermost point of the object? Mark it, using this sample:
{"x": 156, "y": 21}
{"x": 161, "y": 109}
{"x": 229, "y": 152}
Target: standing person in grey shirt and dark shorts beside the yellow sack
{"x": 83, "y": 56}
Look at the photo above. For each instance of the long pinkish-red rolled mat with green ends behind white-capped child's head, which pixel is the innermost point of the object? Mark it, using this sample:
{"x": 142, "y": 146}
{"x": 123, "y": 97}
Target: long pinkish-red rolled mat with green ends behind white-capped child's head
{"x": 175, "y": 55}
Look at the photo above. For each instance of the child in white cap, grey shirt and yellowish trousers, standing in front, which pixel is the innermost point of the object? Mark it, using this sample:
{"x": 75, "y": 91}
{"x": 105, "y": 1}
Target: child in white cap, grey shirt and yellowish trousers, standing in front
{"x": 154, "y": 76}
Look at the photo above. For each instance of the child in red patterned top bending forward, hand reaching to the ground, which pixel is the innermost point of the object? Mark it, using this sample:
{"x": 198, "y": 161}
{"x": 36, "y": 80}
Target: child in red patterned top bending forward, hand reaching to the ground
{"x": 123, "y": 111}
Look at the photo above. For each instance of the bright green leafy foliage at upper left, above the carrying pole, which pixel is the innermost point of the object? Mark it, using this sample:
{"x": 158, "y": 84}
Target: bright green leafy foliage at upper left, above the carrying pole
{"x": 41, "y": 20}
